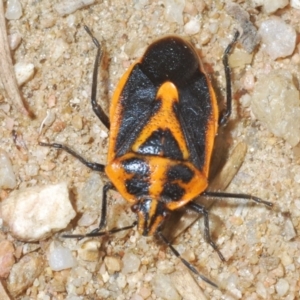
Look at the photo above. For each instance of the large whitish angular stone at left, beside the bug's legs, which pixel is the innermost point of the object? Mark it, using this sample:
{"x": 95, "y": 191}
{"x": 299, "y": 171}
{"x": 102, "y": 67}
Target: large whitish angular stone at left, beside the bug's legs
{"x": 35, "y": 213}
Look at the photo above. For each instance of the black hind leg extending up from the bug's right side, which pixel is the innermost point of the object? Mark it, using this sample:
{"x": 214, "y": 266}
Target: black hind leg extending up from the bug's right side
{"x": 225, "y": 114}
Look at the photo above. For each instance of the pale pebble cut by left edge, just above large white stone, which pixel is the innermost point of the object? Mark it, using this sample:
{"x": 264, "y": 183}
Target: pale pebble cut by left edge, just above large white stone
{"x": 7, "y": 176}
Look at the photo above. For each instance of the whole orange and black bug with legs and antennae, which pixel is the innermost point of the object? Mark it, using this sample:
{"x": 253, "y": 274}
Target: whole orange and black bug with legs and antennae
{"x": 163, "y": 120}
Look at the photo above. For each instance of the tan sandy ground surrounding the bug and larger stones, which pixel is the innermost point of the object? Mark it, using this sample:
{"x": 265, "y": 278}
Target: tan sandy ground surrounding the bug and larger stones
{"x": 261, "y": 256}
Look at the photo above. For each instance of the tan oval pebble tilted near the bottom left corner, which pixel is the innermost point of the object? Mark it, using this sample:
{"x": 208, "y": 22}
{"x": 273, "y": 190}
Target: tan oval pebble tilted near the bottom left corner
{"x": 24, "y": 272}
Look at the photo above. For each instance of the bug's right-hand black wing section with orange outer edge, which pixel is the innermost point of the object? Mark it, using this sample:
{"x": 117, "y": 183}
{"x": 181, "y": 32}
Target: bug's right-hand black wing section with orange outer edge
{"x": 198, "y": 113}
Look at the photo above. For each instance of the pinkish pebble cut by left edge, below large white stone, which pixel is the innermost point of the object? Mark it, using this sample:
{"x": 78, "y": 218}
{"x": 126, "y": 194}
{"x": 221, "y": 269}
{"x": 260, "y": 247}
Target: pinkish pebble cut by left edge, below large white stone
{"x": 7, "y": 258}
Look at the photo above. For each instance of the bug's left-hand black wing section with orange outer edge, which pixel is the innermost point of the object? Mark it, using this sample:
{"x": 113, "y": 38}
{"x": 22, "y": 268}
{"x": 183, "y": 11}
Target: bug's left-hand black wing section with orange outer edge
{"x": 134, "y": 106}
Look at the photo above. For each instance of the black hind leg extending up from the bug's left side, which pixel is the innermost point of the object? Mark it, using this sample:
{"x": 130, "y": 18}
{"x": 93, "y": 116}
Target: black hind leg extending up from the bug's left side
{"x": 96, "y": 107}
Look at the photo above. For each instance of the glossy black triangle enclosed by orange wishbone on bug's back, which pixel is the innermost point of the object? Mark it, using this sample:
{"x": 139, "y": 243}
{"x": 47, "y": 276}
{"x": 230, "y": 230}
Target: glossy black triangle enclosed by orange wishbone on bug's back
{"x": 161, "y": 143}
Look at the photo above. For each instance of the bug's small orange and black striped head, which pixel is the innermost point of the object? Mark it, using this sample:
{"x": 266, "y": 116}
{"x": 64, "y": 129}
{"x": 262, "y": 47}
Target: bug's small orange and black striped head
{"x": 151, "y": 215}
